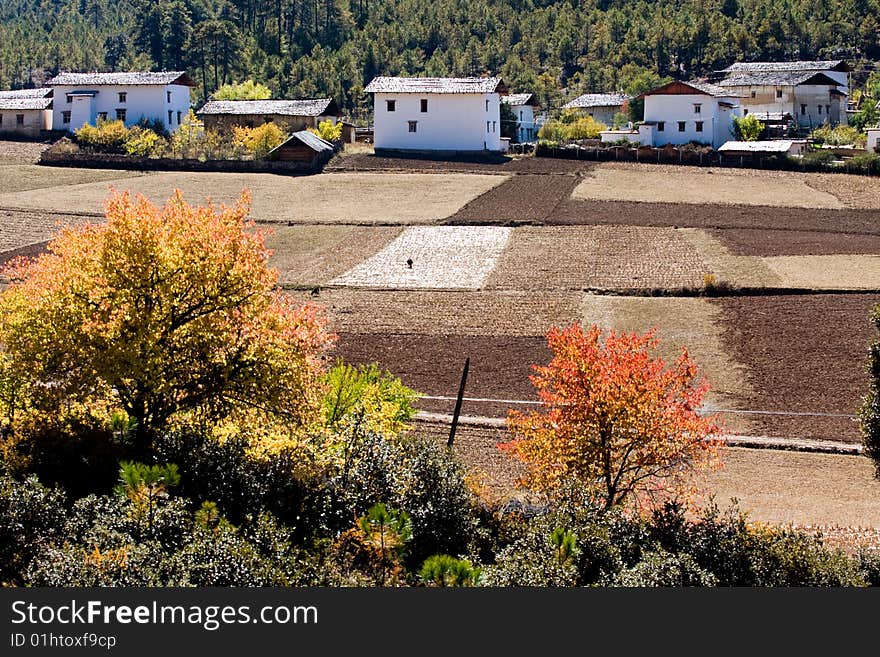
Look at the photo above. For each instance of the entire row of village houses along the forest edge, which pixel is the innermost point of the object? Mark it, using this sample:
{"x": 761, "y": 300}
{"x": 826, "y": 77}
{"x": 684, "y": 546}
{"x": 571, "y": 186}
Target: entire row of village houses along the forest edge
{"x": 465, "y": 114}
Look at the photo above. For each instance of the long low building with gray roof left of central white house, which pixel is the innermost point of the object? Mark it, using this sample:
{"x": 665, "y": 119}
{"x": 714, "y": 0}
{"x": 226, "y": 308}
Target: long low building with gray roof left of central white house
{"x": 293, "y": 114}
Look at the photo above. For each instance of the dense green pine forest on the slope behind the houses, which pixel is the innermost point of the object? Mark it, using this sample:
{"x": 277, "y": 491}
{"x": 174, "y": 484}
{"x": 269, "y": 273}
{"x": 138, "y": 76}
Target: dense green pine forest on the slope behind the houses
{"x": 302, "y": 48}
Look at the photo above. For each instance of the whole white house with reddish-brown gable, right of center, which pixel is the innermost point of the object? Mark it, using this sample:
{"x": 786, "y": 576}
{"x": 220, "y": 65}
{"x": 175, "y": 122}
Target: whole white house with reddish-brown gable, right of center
{"x": 683, "y": 112}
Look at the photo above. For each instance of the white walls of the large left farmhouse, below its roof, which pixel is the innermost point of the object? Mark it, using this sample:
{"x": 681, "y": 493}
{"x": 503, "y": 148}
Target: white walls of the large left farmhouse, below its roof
{"x": 147, "y": 101}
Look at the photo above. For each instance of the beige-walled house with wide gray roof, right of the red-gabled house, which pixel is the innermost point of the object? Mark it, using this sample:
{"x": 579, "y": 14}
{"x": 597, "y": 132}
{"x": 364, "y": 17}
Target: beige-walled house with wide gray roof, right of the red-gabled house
{"x": 809, "y": 98}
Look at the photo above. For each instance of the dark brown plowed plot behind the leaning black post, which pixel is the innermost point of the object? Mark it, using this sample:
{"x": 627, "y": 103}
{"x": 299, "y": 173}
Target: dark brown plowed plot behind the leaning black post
{"x": 432, "y": 364}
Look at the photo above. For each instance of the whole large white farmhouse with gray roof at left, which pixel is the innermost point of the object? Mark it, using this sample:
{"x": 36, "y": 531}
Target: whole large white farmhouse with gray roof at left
{"x": 82, "y": 98}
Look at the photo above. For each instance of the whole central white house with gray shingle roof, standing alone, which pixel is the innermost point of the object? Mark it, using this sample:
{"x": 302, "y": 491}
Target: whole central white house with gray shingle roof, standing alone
{"x": 436, "y": 114}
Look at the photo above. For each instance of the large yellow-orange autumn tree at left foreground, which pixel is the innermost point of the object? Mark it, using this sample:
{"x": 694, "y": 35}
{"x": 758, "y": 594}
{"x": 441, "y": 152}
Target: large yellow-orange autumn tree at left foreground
{"x": 158, "y": 312}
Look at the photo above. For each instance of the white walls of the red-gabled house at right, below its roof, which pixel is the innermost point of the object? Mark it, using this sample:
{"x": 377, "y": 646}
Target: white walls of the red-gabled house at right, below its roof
{"x": 670, "y": 109}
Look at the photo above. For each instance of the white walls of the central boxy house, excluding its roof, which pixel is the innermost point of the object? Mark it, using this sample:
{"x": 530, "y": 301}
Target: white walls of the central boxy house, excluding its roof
{"x": 453, "y": 122}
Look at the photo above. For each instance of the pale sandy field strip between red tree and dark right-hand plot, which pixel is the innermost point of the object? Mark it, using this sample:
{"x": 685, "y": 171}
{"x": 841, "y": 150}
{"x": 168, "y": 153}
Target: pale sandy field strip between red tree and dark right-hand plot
{"x": 693, "y": 323}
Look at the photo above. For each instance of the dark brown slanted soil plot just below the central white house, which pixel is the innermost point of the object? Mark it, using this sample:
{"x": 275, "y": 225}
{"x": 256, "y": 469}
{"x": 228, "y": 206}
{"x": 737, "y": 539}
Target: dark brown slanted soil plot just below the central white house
{"x": 521, "y": 199}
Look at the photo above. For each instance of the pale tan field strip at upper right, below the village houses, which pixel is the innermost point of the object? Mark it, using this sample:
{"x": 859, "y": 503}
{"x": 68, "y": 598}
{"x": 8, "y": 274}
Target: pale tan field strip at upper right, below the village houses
{"x": 698, "y": 185}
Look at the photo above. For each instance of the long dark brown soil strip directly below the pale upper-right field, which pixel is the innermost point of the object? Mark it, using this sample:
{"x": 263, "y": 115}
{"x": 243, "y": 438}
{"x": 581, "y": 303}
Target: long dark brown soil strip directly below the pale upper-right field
{"x": 632, "y": 213}
